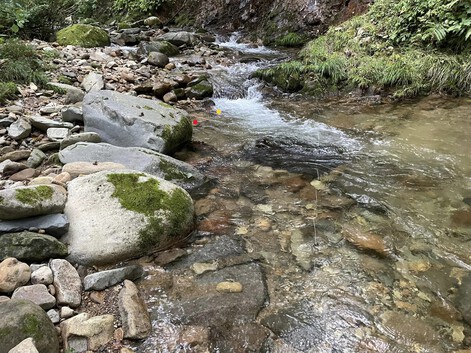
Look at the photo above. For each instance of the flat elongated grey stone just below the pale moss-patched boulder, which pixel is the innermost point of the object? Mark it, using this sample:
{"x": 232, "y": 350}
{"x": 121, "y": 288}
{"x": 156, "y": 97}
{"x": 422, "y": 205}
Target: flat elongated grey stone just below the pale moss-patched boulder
{"x": 104, "y": 279}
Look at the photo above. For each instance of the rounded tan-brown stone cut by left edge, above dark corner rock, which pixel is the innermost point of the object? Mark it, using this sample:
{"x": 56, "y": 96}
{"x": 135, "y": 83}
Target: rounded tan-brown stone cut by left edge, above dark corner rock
{"x": 13, "y": 274}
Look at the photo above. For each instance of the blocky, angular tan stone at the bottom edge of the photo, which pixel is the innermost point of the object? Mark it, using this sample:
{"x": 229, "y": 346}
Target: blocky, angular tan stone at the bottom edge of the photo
{"x": 82, "y": 333}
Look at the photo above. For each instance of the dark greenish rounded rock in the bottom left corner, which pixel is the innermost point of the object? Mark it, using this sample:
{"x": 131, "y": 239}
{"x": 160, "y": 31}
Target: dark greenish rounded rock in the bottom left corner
{"x": 22, "y": 319}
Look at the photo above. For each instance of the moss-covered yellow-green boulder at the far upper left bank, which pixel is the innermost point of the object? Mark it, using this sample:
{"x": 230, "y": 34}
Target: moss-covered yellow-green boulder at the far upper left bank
{"x": 83, "y": 35}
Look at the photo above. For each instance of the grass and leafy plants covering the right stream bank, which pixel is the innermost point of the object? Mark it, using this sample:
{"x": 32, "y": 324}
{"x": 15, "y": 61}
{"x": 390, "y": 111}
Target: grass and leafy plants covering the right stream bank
{"x": 403, "y": 48}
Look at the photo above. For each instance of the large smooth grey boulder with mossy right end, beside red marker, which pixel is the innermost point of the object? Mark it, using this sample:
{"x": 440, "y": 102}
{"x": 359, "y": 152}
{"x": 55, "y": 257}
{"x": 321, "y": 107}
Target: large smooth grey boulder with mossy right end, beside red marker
{"x": 124, "y": 120}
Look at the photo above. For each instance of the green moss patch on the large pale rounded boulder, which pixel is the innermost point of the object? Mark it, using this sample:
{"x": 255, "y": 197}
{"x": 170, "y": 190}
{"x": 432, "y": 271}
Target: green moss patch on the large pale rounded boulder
{"x": 166, "y": 212}
